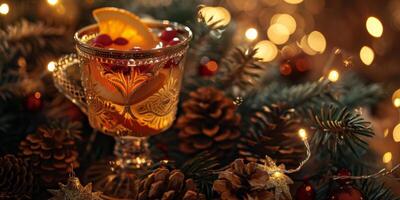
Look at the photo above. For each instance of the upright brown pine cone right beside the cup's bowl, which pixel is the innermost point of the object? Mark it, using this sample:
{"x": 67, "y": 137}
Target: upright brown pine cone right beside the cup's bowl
{"x": 209, "y": 122}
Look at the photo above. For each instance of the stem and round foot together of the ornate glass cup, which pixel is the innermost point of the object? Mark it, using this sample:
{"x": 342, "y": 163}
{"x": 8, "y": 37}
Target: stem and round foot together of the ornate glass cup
{"x": 118, "y": 178}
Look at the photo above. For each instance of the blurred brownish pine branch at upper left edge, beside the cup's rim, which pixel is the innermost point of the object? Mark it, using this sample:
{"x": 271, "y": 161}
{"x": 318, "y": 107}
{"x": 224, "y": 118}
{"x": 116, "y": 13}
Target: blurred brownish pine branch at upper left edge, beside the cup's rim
{"x": 25, "y": 38}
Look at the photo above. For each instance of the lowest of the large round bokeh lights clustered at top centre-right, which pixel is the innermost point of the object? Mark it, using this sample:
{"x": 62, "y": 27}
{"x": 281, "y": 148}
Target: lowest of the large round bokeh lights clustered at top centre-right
{"x": 266, "y": 51}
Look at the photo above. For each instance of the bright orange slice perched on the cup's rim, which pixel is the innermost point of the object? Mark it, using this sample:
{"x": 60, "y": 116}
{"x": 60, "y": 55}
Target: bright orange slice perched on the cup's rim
{"x": 118, "y": 22}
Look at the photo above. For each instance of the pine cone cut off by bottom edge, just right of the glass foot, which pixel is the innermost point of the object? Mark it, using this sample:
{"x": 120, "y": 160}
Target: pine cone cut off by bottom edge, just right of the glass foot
{"x": 168, "y": 185}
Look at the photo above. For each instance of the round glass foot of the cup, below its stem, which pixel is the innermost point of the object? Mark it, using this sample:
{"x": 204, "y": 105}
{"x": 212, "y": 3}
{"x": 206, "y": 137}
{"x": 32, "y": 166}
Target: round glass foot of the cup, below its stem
{"x": 115, "y": 183}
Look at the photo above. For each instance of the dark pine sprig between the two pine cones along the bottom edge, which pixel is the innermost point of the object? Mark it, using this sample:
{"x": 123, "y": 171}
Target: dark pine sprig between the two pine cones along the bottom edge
{"x": 201, "y": 169}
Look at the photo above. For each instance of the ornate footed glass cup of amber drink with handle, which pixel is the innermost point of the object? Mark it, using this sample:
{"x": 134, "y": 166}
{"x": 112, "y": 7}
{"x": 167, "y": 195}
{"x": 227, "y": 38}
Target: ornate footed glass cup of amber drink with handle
{"x": 126, "y": 94}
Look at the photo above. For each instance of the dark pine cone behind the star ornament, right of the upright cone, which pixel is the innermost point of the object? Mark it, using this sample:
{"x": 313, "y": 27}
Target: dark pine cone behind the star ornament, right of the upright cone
{"x": 273, "y": 133}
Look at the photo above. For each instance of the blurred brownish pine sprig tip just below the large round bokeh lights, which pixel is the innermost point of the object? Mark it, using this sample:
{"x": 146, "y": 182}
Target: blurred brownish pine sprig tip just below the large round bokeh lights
{"x": 241, "y": 69}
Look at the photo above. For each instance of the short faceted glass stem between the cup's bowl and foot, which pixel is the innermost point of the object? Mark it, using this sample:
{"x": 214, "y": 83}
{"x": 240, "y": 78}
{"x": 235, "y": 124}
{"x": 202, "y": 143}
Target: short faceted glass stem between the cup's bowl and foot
{"x": 132, "y": 153}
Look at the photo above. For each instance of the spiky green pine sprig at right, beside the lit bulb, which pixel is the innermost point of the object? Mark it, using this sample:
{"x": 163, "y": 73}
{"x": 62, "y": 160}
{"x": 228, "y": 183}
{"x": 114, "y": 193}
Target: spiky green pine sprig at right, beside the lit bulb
{"x": 339, "y": 128}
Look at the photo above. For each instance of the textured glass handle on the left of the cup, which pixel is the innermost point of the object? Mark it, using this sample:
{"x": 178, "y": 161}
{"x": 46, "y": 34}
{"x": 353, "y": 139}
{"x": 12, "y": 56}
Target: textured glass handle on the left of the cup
{"x": 66, "y": 80}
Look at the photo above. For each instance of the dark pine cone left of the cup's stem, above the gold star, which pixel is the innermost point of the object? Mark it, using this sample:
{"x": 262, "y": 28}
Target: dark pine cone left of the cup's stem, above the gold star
{"x": 53, "y": 154}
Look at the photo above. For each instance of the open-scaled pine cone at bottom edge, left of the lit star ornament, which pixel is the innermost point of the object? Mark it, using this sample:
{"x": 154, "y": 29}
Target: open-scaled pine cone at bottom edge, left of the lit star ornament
{"x": 242, "y": 181}
